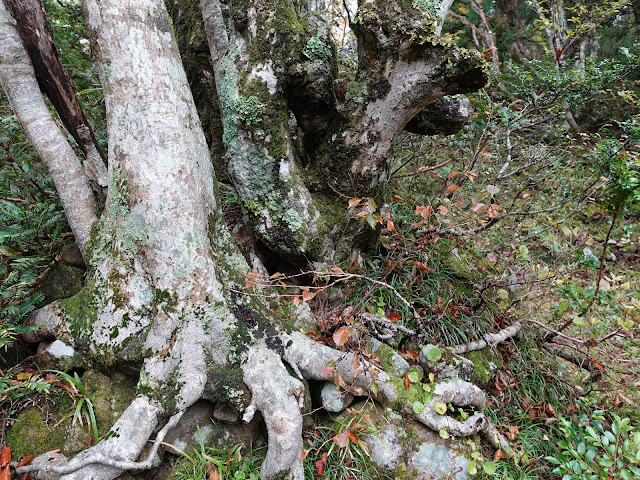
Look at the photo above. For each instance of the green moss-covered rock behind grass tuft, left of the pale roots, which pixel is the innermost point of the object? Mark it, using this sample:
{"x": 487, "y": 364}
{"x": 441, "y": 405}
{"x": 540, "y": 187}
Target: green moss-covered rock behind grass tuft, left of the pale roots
{"x": 32, "y": 435}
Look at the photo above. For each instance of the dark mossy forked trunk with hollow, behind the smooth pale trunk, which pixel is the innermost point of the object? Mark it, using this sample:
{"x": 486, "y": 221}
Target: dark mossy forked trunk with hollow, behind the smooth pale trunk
{"x": 300, "y": 139}
